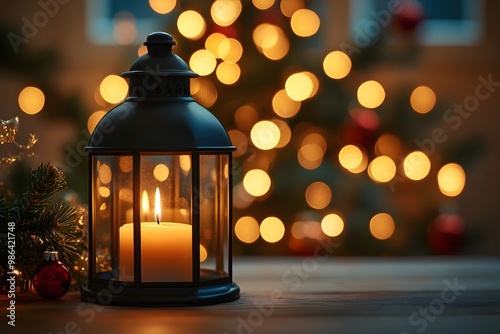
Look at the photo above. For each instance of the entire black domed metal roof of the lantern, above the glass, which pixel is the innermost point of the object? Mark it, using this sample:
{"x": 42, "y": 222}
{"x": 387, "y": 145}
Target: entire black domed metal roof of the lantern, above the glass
{"x": 160, "y": 115}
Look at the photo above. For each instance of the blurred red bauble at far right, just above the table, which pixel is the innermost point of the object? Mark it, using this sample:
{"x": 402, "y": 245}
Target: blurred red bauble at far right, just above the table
{"x": 446, "y": 234}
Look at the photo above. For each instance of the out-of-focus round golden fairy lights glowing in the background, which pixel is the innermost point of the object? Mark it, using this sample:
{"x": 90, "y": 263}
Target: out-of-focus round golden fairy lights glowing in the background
{"x": 219, "y": 61}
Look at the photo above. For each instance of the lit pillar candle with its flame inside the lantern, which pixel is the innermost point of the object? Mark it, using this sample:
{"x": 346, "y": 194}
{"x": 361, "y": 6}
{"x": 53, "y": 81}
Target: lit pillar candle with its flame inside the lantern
{"x": 166, "y": 250}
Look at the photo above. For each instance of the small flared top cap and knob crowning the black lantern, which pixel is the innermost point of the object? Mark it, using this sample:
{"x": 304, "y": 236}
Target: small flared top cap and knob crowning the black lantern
{"x": 160, "y": 58}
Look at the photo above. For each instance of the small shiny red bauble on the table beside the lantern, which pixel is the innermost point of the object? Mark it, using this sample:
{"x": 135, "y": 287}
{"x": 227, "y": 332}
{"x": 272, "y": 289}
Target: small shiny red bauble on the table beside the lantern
{"x": 52, "y": 278}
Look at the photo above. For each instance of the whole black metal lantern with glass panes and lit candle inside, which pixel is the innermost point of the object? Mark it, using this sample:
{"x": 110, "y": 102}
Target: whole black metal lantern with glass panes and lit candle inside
{"x": 160, "y": 223}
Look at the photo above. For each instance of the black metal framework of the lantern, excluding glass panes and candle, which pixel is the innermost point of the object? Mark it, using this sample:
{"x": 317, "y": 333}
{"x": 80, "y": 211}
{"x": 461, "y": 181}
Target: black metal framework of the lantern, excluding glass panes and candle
{"x": 160, "y": 118}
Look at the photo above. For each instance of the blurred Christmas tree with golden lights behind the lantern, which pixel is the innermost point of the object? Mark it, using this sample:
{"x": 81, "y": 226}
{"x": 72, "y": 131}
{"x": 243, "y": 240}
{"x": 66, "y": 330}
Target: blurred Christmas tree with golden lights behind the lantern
{"x": 317, "y": 158}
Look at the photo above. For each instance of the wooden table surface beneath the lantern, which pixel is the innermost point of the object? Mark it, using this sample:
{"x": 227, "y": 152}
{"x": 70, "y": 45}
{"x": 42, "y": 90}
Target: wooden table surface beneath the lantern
{"x": 302, "y": 295}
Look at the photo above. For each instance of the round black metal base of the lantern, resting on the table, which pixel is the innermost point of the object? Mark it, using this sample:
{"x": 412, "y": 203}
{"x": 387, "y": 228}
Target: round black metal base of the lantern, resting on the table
{"x": 178, "y": 296}
